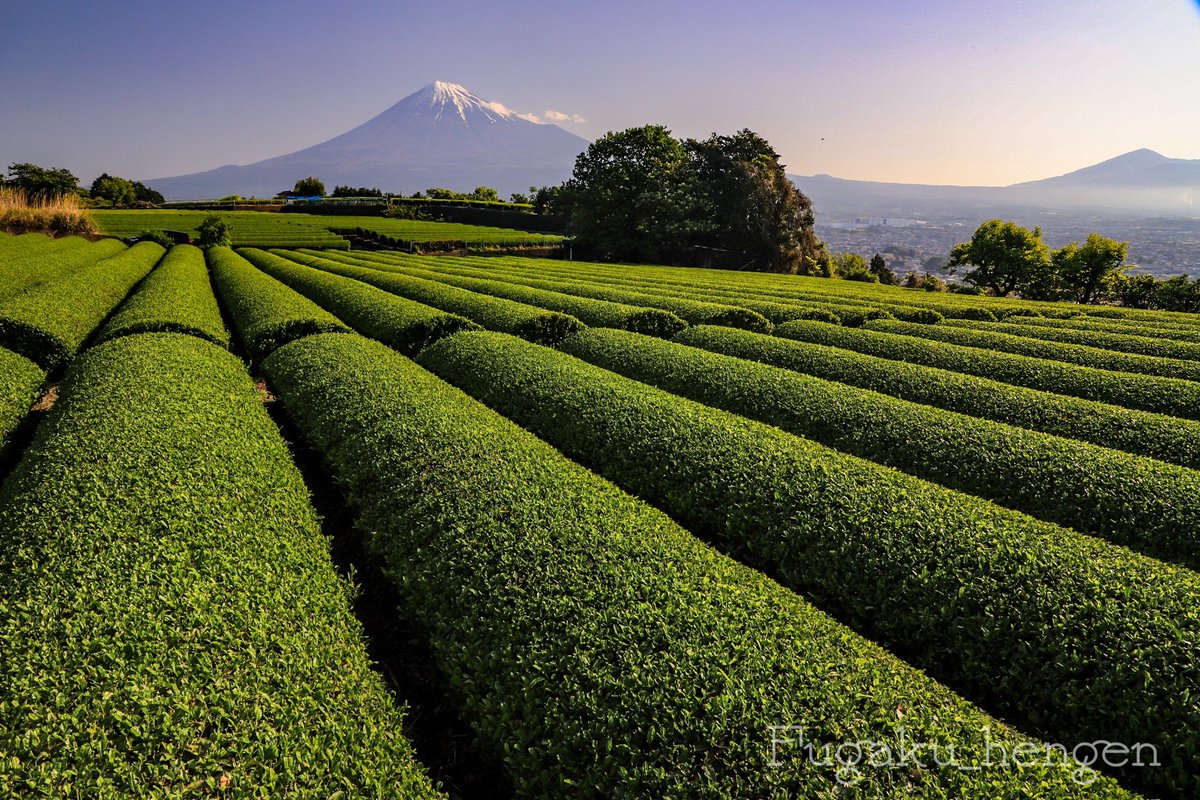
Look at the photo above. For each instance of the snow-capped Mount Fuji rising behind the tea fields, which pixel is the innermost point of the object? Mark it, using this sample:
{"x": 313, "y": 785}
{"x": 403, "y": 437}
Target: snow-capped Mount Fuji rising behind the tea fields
{"x": 440, "y": 136}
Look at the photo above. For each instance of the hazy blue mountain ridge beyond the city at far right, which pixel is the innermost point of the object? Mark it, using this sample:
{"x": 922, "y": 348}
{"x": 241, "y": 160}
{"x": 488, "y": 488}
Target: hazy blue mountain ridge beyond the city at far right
{"x": 1141, "y": 182}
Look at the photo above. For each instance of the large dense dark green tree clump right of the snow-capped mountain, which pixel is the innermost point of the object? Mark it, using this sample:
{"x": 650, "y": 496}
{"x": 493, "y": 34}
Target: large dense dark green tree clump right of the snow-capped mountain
{"x": 641, "y": 195}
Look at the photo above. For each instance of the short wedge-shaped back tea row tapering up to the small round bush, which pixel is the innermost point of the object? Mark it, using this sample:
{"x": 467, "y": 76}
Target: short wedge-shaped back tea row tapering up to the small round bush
{"x": 265, "y": 312}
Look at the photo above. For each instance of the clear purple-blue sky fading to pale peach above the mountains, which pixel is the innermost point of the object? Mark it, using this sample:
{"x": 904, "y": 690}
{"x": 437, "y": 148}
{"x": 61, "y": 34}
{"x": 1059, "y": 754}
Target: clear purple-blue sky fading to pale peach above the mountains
{"x": 941, "y": 92}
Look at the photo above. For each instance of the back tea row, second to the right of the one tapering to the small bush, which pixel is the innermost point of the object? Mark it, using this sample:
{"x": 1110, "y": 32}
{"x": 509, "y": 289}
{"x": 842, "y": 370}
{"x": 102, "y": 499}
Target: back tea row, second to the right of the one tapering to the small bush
{"x": 494, "y": 314}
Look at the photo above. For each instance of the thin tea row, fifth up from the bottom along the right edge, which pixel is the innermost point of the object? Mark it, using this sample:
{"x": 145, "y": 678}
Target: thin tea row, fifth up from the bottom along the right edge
{"x": 1088, "y": 357}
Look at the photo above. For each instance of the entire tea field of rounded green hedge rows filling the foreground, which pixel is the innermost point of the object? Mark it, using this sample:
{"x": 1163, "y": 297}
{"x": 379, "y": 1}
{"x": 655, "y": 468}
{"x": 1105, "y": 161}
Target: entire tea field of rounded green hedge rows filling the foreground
{"x": 651, "y": 532}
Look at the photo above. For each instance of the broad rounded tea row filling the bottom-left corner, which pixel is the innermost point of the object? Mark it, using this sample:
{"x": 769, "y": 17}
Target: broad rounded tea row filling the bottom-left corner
{"x": 171, "y": 622}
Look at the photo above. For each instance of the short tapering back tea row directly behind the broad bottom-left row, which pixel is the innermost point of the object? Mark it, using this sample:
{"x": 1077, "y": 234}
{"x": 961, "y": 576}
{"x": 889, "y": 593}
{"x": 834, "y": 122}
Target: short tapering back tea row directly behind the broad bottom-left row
{"x": 176, "y": 298}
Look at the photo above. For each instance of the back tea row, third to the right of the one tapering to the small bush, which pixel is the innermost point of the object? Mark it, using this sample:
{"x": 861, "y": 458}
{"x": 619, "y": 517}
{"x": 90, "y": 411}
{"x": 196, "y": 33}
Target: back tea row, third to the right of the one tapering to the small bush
{"x": 601, "y": 314}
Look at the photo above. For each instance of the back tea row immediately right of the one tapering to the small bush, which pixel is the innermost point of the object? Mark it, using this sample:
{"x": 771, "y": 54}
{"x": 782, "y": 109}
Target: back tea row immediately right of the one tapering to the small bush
{"x": 397, "y": 322}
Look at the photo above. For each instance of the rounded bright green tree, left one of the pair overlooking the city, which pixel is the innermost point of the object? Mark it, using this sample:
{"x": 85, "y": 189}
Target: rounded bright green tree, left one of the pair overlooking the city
{"x": 1005, "y": 257}
